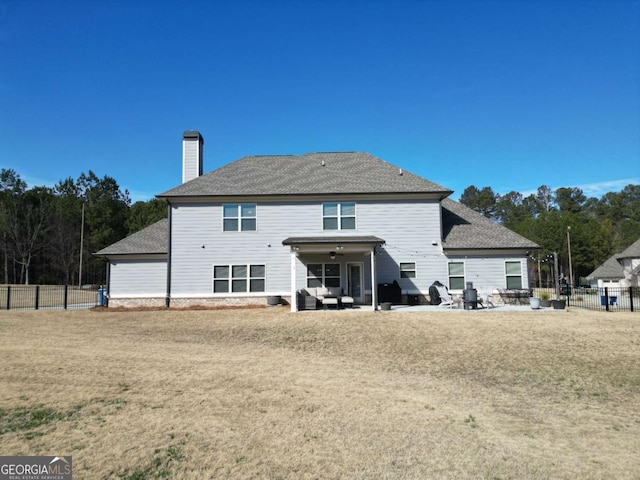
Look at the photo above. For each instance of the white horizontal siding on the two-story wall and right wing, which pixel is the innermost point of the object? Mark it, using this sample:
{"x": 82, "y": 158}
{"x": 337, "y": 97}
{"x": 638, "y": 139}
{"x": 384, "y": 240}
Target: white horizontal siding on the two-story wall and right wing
{"x": 409, "y": 229}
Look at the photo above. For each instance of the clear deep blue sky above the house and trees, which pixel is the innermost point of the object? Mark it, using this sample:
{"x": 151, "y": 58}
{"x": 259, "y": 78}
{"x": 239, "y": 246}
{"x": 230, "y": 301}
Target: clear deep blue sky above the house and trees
{"x": 507, "y": 94}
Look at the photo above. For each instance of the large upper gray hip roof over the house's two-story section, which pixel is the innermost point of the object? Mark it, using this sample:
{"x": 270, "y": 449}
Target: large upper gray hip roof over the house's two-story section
{"x": 308, "y": 174}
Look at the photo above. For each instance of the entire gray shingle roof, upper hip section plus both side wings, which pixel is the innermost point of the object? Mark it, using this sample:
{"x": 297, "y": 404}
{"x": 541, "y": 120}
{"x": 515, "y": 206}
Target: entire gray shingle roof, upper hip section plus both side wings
{"x": 350, "y": 172}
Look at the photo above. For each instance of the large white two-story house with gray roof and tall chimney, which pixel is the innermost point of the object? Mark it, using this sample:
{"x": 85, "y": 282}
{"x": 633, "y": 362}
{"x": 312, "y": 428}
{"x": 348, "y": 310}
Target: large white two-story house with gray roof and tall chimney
{"x": 266, "y": 226}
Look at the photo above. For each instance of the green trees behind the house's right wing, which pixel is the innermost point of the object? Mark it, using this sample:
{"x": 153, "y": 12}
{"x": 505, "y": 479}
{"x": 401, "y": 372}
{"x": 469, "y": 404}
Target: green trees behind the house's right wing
{"x": 594, "y": 228}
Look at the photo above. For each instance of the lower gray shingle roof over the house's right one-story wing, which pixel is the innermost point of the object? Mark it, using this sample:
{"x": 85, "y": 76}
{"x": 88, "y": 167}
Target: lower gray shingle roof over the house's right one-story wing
{"x": 464, "y": 228}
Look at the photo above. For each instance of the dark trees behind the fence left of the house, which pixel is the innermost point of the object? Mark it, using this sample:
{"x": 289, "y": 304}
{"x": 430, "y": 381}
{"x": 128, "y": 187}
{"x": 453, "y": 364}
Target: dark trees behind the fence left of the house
{"x": 45, "y": 233}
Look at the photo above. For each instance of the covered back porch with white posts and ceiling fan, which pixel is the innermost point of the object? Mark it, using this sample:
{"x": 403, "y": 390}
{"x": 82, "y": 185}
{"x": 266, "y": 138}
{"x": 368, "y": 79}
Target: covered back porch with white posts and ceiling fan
{"x": 347, "y": 263}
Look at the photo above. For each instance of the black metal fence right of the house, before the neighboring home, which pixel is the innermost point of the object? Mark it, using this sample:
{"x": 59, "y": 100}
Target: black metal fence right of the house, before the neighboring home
{"x": 609, "y": 299}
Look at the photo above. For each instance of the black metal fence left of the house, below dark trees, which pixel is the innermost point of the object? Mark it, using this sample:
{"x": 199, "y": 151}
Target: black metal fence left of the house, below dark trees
{"x": 67, "y": 297}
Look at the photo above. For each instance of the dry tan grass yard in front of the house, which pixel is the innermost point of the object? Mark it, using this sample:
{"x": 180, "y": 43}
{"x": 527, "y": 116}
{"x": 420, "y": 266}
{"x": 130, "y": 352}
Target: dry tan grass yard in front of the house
{"x": 265, "y": 393}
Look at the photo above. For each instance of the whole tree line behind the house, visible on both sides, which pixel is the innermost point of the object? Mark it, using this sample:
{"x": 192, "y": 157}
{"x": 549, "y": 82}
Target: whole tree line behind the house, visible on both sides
{"x": 45, "y": 233}
